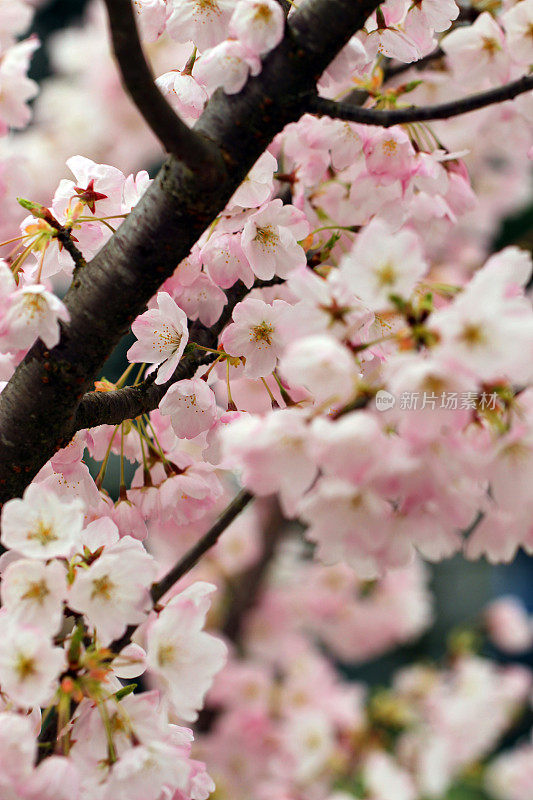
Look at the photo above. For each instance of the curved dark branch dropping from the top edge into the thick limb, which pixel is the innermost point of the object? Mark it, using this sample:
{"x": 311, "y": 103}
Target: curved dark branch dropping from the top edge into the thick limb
{"x": 175, "y": 136}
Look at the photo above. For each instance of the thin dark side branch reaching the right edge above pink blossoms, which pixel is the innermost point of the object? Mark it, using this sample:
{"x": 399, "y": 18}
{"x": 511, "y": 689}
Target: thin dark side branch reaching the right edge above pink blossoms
{"x": 385, "y": 118}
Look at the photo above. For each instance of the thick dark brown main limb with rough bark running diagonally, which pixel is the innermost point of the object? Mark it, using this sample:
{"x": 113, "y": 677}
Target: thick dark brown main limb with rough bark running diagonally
{"x": 38, "y": 406}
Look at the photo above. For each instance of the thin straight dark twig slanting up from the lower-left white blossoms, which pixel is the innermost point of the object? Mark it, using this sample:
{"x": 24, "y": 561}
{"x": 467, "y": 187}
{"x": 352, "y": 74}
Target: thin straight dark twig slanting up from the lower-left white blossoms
{"x": 189, "y": 560}
